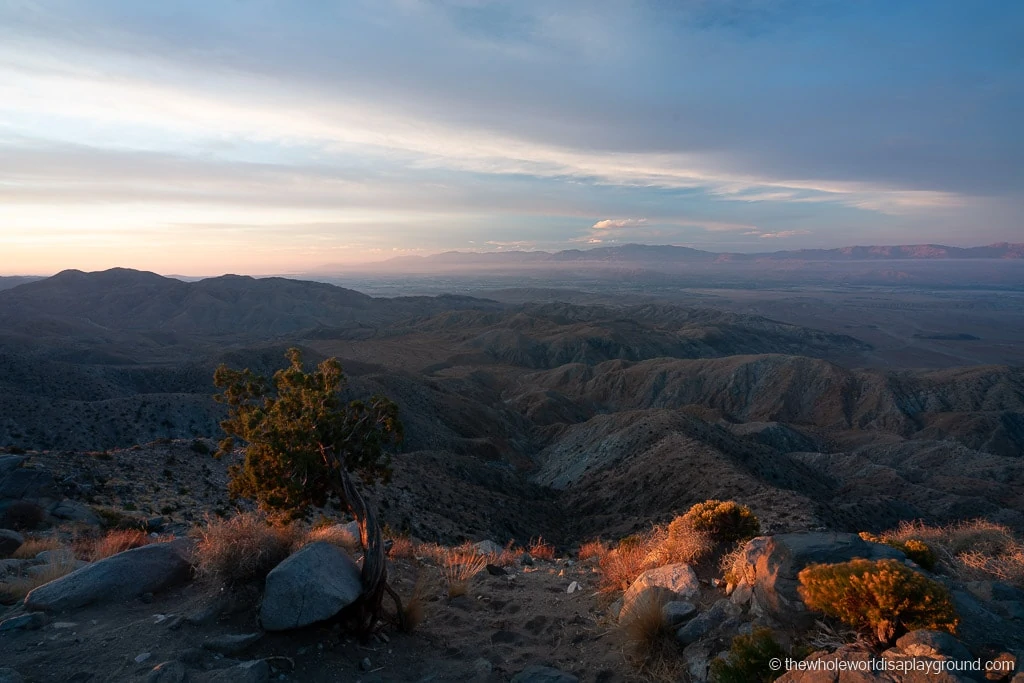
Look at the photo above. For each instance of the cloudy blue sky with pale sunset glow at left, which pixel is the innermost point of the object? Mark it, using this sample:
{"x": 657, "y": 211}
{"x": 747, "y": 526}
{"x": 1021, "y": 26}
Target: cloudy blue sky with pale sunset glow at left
{"x": 263, "y": 137}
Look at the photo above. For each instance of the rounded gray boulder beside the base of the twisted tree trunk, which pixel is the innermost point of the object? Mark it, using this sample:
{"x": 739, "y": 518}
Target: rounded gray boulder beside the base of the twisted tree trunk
{"x": 313, "y": 585}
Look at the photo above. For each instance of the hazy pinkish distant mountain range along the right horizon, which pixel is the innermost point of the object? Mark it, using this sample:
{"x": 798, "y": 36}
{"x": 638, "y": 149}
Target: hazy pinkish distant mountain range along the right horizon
{"x": 665, "y": 254}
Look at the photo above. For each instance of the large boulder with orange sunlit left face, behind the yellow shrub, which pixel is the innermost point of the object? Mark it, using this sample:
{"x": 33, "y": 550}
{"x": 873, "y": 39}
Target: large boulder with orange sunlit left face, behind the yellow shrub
{"x": 767, "y": 572}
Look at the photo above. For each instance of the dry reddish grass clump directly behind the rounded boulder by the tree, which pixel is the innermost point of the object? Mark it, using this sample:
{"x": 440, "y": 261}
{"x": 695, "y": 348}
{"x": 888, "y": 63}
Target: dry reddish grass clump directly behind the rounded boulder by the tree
{"x": 243, "y": 548}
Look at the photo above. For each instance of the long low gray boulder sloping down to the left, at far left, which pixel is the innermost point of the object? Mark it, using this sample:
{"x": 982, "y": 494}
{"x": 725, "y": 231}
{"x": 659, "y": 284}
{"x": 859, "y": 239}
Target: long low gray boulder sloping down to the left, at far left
{"x": 119, "y": 578}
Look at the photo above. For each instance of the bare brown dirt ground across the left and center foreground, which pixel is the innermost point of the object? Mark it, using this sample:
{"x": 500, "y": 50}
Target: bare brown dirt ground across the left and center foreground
{"x": 503, "y": 625}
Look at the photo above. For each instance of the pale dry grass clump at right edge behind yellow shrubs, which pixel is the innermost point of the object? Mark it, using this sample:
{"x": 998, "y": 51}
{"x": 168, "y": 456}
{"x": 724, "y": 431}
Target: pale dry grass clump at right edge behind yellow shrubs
{"x": 974, "y": 550}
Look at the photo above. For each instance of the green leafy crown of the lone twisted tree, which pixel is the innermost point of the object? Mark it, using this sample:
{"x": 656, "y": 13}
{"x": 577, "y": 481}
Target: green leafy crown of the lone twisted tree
{"x": 291, "y": 424}
